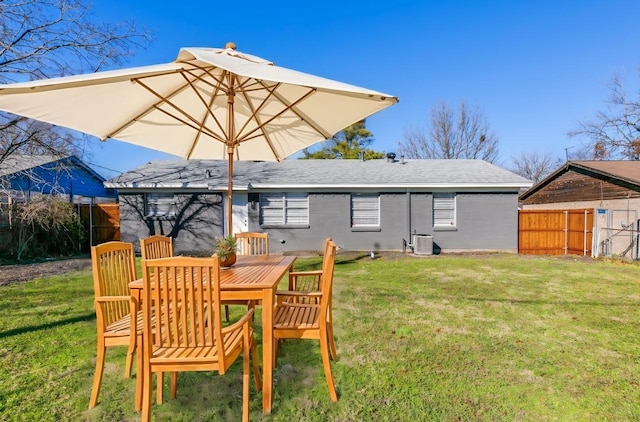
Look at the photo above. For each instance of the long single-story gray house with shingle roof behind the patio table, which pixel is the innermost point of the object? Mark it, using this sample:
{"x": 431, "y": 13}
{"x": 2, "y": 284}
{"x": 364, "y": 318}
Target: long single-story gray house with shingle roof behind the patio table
{"x": 464, "y": 205}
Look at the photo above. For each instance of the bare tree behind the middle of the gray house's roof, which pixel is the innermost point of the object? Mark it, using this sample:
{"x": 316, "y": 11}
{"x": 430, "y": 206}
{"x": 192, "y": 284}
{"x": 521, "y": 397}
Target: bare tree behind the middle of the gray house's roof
{"x": 452, "y": 134}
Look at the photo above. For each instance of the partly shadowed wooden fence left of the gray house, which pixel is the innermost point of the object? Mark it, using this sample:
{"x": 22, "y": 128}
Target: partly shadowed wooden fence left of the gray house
{"x": 102, "y": 222}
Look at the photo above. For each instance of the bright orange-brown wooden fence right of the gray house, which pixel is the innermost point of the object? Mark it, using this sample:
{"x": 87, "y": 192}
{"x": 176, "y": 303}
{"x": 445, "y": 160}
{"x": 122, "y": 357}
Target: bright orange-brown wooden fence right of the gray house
{"x": 555, "y": 232}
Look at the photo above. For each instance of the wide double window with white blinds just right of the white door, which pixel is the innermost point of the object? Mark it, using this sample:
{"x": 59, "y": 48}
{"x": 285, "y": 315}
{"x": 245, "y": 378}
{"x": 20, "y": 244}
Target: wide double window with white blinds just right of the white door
{"x": 290, "y": 209}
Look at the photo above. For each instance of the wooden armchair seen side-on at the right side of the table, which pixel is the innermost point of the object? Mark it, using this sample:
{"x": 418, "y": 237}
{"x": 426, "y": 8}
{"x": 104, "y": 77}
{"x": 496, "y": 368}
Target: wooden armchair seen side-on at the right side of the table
{"x": 305, "y": 319}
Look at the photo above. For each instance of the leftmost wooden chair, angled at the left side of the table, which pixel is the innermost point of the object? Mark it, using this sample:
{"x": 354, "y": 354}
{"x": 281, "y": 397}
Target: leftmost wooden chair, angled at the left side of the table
{"x": 118, "y": 318}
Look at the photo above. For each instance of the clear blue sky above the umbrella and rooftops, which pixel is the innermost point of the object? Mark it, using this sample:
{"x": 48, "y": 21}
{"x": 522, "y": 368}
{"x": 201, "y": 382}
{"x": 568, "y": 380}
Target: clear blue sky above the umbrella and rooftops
{"x": 535, "y": 68}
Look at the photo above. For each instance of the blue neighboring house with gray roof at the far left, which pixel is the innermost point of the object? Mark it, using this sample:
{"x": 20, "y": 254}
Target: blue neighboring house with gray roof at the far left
{"x": 22, "y": 176}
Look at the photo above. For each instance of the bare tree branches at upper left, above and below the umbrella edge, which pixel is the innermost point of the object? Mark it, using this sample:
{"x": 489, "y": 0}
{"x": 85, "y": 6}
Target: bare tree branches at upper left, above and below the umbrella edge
{"x": 48, "y": 38}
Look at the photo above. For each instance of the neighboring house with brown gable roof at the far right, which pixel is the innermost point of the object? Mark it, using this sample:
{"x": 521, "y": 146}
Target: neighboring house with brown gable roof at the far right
{"x": 608, "y": 189}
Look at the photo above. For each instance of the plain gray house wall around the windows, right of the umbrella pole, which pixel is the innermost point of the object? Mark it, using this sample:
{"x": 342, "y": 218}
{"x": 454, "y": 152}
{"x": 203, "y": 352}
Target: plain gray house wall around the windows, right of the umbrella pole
{"x": 484, "y": 222}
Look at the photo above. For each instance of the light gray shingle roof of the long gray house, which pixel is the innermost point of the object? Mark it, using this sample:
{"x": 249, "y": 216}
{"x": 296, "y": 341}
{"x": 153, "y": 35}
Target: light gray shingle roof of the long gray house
{"x": 319, "y": 174}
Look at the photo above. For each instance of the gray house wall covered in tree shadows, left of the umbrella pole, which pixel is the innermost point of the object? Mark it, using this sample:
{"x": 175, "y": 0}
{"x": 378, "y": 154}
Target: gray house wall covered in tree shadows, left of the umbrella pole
{"x": 198, "y": 222}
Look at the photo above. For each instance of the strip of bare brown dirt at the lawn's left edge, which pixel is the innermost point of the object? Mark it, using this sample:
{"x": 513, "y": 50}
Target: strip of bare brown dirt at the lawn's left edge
{"x": 16, "y": 273}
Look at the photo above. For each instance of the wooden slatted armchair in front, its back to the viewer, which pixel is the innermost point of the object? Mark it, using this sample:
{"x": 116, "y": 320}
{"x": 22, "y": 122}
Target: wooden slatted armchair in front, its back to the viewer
{"x": 186, "y": 332}
